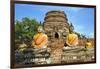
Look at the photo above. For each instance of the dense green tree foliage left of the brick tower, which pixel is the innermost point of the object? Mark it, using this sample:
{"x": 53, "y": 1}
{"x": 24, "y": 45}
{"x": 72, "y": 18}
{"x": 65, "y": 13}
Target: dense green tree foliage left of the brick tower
{"x": 25, "y": 29}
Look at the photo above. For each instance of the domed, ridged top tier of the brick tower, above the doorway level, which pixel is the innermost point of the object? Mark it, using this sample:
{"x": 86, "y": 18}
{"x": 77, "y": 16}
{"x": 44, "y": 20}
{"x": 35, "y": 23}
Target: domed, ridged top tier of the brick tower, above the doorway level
{"x": 56, "y": 16}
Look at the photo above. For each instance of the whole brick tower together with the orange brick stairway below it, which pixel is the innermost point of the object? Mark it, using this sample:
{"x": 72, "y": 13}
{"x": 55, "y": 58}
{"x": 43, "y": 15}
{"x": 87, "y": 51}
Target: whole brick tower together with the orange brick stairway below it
{"x": 56, "y": 27}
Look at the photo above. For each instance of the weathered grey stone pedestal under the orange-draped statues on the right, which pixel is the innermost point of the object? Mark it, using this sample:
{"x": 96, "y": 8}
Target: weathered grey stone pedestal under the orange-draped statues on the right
{"x": 78, "y": 54}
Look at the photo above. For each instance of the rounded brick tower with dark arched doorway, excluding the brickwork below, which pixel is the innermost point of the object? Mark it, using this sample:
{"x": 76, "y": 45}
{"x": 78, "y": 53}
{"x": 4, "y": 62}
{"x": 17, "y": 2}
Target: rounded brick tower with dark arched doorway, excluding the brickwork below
{"x": 56, "y": 24}
